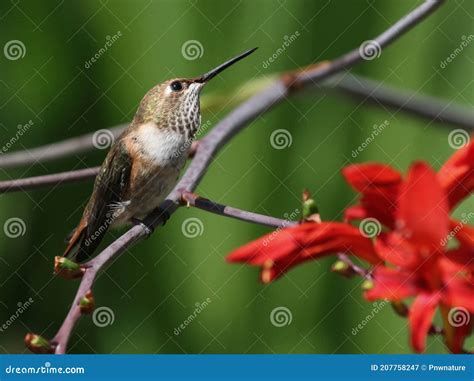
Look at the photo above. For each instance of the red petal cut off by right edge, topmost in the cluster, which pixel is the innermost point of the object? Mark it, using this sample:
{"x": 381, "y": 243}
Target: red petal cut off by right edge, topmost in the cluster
{"x": 456, "y": 176}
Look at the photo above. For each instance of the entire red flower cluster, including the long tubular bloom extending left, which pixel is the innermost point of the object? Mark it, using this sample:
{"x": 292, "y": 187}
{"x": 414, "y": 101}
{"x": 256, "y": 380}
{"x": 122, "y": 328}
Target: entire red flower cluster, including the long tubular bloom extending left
{"x": 411, "y": 258}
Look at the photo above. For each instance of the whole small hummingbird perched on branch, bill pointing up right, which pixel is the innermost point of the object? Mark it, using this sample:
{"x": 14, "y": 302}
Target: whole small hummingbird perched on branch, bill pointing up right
{"x": 143, "y": 164}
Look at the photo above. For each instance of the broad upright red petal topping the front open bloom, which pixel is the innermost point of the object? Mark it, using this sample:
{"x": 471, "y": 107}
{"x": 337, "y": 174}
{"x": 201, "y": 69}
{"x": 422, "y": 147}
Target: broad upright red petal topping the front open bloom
{"x": 422, "y": 215}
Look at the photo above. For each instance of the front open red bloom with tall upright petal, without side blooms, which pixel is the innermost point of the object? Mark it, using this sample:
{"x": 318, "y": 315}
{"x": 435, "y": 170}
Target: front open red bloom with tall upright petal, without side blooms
{"x": 416, "y": 247}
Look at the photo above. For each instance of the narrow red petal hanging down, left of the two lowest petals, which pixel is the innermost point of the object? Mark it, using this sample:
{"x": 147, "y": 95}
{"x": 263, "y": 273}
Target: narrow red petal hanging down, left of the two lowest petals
{"x": 421, "y": 315}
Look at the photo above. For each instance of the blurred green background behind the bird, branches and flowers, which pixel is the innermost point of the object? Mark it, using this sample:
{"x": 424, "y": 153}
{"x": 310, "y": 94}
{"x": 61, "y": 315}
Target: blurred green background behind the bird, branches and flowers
{"x": 153, "y": 288}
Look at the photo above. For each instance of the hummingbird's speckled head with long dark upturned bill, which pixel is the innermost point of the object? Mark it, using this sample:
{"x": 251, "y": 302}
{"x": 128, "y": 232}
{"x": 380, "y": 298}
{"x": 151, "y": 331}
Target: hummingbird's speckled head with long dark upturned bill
{"x": 175, "y": 103}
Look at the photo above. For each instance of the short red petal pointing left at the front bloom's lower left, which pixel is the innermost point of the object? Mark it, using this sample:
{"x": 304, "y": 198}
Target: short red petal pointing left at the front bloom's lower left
{"x": 392, "y": 284}
